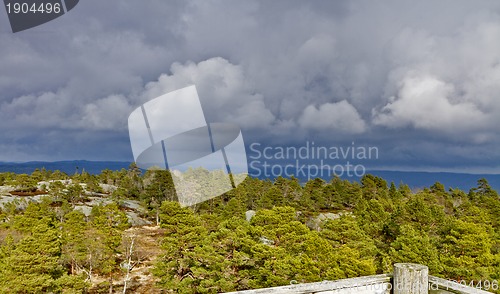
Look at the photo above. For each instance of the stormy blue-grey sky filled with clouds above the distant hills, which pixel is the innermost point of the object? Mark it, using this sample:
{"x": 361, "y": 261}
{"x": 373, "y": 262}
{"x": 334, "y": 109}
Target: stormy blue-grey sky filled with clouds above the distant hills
{"x": 420, "y": 81}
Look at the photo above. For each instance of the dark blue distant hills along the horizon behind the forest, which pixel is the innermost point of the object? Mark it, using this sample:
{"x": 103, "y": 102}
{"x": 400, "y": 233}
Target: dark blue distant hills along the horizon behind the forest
{"x": 413, "y": 179}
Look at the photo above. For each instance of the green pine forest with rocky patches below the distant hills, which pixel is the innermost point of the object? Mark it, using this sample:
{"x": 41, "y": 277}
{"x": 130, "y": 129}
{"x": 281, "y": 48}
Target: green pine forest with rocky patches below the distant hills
{"x": 261, "y": 234}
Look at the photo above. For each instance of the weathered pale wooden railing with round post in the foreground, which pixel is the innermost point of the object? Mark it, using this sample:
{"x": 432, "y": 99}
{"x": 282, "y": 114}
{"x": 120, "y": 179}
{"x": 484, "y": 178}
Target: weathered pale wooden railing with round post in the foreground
{"x": 408, "y": 278}
